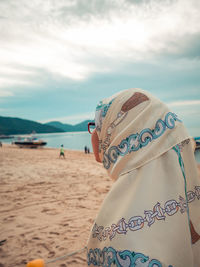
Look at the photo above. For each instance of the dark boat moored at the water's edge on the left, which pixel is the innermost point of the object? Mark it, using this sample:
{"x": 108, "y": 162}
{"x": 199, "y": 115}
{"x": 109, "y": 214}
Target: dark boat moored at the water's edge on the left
{"x": 29, "y": 142}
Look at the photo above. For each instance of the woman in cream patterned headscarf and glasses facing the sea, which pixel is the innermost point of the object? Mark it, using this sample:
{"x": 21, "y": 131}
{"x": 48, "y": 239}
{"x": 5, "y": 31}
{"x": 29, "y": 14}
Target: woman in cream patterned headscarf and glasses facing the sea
{"x": 151, "y": 216}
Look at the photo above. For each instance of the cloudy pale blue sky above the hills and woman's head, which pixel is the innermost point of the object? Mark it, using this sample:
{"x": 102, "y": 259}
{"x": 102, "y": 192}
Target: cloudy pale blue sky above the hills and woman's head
{"x": 59, "y": 58}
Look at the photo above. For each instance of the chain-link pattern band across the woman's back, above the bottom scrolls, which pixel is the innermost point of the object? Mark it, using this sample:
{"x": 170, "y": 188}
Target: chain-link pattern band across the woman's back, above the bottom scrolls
{"x": 136, "y": 223}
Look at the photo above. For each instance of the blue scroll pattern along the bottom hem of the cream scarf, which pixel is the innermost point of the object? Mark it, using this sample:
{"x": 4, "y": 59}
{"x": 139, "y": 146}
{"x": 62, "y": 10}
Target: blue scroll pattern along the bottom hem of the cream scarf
{"x": 126, "y": 258}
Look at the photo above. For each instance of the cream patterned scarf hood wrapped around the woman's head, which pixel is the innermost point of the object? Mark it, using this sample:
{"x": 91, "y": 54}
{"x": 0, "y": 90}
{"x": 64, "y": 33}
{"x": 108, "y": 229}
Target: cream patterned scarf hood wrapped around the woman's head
{"x": 134, "y": 128}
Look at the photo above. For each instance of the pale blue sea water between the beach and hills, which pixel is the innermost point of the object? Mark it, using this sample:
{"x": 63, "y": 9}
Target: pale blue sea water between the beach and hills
{"x": 71, "y": 140}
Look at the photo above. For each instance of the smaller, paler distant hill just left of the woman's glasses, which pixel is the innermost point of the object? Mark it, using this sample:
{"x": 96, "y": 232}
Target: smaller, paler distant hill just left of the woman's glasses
{"x": 70, "y": 128}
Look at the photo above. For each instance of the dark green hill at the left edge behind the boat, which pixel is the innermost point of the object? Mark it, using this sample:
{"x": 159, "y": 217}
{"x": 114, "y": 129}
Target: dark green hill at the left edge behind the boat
{"x": 9, "y": 125}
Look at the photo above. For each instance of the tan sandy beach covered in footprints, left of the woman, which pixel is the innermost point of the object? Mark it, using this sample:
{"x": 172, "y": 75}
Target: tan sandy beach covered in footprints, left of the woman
{"x": 48, "y": 204}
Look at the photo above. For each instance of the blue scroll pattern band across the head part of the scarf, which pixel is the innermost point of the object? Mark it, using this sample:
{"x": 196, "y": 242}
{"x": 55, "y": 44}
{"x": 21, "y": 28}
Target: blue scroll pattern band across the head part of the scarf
{"x": 134, "y": 142}
